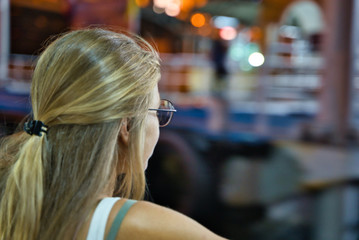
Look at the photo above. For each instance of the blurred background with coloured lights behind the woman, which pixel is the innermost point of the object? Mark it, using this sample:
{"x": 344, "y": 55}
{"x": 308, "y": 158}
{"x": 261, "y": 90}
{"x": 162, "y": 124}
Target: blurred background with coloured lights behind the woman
{"x": 264, "y": 145}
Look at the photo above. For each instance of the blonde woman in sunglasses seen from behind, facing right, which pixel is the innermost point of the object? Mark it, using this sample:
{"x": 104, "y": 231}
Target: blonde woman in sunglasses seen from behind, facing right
{"x": 96, "y": 117}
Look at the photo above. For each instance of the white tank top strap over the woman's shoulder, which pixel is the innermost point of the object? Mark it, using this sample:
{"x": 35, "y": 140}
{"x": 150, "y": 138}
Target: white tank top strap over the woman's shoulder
{"x": 99, "y": 219}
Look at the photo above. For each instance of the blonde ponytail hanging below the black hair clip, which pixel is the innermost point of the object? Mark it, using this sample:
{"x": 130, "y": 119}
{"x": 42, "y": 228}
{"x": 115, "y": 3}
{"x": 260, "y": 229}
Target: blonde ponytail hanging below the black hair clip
{"x": 21, "y": 201}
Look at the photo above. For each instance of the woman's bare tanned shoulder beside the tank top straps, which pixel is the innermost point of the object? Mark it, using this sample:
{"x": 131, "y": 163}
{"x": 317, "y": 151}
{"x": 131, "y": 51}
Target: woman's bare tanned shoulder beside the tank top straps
{"x": 146, "y": 220}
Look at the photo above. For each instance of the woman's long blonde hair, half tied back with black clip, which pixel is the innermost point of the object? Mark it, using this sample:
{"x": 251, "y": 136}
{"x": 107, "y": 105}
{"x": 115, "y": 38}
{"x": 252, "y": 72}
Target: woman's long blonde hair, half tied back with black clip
{"x": 84, "y": 84}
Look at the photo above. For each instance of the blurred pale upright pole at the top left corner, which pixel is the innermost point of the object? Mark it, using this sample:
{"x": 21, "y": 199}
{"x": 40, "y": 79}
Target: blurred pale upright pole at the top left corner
{"x": 4, "y": 38}
